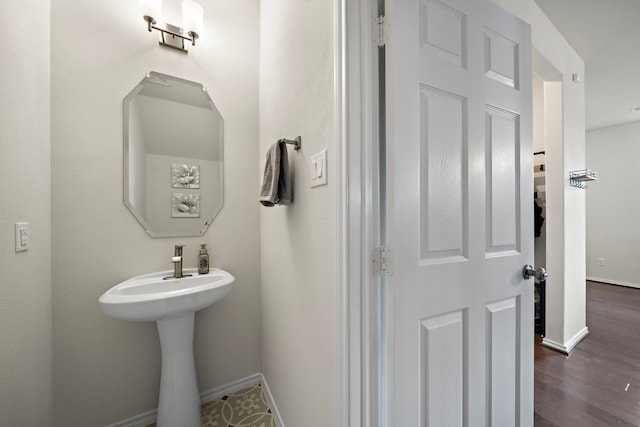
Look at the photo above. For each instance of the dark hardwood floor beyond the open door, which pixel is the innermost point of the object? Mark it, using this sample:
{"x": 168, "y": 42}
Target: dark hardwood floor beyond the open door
{"x": 598, "y": 384}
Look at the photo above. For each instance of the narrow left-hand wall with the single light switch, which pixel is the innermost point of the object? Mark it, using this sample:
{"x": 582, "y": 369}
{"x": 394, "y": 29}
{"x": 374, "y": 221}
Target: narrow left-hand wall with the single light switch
{"x": 25, "y": 195}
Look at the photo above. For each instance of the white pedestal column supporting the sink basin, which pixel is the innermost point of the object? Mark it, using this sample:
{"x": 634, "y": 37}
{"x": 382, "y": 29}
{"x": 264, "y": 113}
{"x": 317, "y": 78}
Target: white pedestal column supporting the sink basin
{"x": 179, "y": 403}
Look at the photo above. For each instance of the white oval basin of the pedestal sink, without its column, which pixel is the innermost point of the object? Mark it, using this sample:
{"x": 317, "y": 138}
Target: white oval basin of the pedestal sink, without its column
{"x": 149, "y": 297}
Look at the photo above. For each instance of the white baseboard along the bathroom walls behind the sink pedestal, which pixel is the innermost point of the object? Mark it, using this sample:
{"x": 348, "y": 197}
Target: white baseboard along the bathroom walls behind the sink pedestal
{"x": 209, "y": 396}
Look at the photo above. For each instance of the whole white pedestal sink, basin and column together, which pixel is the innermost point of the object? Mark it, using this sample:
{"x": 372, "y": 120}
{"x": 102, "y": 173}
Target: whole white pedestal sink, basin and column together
{"x": 172, "y": 304}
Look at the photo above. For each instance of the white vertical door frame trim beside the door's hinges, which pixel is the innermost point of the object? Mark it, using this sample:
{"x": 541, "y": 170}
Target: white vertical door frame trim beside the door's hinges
{"x": 357, "y": 213}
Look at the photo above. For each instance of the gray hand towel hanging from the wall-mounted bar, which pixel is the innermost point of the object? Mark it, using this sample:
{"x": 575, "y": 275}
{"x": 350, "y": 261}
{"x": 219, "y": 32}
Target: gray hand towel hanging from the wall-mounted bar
{"x": 276, "y": 184}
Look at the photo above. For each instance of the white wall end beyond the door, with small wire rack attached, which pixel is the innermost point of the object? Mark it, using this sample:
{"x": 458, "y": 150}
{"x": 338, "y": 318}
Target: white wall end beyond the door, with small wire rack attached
{"x": 565, "y": 223}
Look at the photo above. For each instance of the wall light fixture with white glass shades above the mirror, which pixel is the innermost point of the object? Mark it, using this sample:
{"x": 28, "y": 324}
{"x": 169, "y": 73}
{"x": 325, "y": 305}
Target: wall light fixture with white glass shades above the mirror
{"x": 172, "y": 35}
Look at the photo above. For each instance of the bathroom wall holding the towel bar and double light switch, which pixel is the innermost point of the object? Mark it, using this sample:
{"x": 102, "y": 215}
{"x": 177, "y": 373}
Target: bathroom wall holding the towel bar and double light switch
{"x": 298, "y": 241}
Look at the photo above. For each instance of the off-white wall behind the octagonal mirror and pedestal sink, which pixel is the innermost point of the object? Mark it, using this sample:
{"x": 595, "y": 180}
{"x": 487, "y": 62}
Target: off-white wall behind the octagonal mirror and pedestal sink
{"x": 106, "y": 370}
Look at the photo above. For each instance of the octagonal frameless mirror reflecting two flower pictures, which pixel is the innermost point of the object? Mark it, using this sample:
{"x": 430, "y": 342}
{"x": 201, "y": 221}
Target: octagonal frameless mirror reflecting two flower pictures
{"x": 173, "y": 163}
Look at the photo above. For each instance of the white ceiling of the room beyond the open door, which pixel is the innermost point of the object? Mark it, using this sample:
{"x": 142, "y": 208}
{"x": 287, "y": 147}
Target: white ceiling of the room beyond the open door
{"x": 606, "y": 35}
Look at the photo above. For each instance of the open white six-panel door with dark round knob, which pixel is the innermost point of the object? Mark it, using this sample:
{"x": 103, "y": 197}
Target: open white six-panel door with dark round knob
{"x": 460, "y": 215}
